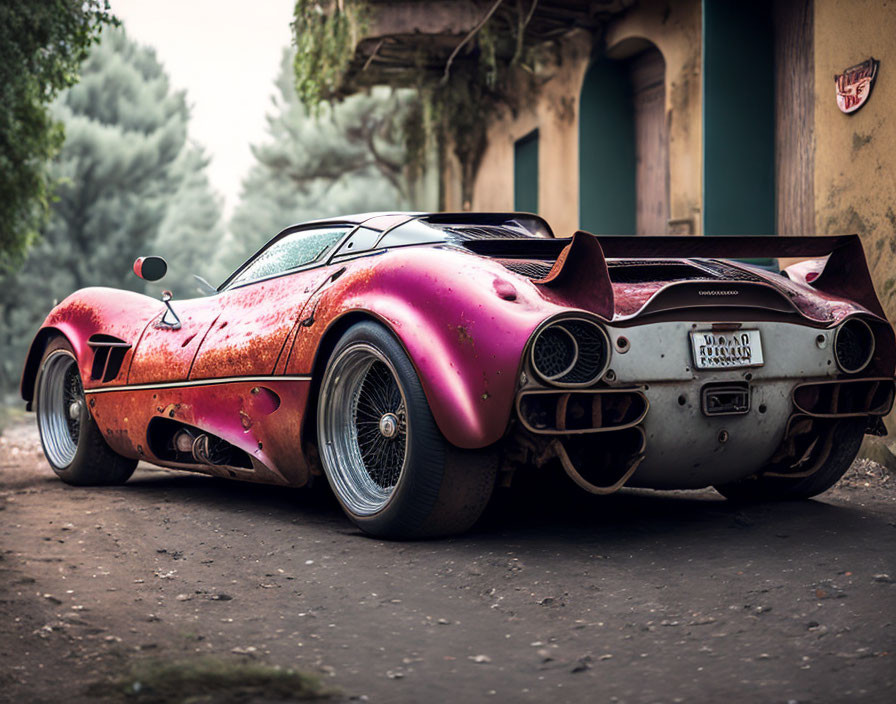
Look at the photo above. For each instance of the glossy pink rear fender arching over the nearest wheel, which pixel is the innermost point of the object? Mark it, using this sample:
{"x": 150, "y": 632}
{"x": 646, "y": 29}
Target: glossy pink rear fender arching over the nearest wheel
{"x": 463, "y": 321}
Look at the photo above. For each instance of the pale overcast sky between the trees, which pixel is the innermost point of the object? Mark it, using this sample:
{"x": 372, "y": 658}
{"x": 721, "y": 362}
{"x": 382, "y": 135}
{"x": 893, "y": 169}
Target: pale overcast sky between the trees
{"x": 225, "y": 54}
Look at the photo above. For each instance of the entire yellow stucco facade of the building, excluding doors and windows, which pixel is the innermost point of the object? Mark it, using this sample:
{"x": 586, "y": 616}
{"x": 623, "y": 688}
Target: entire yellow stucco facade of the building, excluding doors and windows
{"x": 854, "y": 155}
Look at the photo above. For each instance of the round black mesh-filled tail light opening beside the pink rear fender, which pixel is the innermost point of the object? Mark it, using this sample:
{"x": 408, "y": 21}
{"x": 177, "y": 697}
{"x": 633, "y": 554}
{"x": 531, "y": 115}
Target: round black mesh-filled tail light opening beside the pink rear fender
{"x": 571, "y": 352}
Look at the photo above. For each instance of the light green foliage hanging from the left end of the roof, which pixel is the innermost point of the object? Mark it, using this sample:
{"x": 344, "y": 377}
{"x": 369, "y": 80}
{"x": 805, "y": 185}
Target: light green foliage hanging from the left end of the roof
{"x": 324, "y": 38}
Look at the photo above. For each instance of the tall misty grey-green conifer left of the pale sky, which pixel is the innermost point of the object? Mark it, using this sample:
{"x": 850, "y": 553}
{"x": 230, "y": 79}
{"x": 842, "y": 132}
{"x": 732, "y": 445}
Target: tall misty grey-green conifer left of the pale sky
{"x": 129, "y": 184}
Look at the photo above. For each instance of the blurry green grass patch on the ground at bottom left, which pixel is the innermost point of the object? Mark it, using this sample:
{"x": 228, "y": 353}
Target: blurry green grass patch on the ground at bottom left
{"x": 209, "y": 680}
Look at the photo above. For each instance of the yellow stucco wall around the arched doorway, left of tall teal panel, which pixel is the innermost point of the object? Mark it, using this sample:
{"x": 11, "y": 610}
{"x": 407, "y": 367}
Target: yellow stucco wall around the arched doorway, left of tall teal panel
{"x": 675, "y": 30}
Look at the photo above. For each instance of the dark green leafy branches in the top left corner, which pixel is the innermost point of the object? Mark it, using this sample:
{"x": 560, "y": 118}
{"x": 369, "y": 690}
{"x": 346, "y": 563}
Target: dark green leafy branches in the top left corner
{"x": 42, "y": 44}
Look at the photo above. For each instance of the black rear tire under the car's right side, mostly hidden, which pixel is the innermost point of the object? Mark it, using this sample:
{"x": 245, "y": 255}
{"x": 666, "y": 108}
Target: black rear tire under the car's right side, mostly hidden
{"x": 848, "y": 436}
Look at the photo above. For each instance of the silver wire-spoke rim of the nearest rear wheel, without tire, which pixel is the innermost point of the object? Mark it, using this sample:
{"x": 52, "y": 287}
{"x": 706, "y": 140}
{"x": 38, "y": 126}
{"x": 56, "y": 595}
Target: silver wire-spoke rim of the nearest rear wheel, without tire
{"x": 364, "y": 428}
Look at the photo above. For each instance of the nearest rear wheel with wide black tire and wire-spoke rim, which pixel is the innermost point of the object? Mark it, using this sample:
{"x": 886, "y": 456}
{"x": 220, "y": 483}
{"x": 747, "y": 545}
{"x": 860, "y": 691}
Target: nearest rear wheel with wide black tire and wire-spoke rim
{"x": 440, "y": 490}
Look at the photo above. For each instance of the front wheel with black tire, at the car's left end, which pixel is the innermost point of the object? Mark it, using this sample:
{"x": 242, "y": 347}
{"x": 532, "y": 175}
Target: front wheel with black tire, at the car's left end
{"x": 88, "y": 461}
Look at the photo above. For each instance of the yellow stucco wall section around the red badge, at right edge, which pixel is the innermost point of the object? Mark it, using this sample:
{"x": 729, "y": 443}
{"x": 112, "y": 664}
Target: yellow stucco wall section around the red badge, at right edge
{"x": 855, "y": 155}
